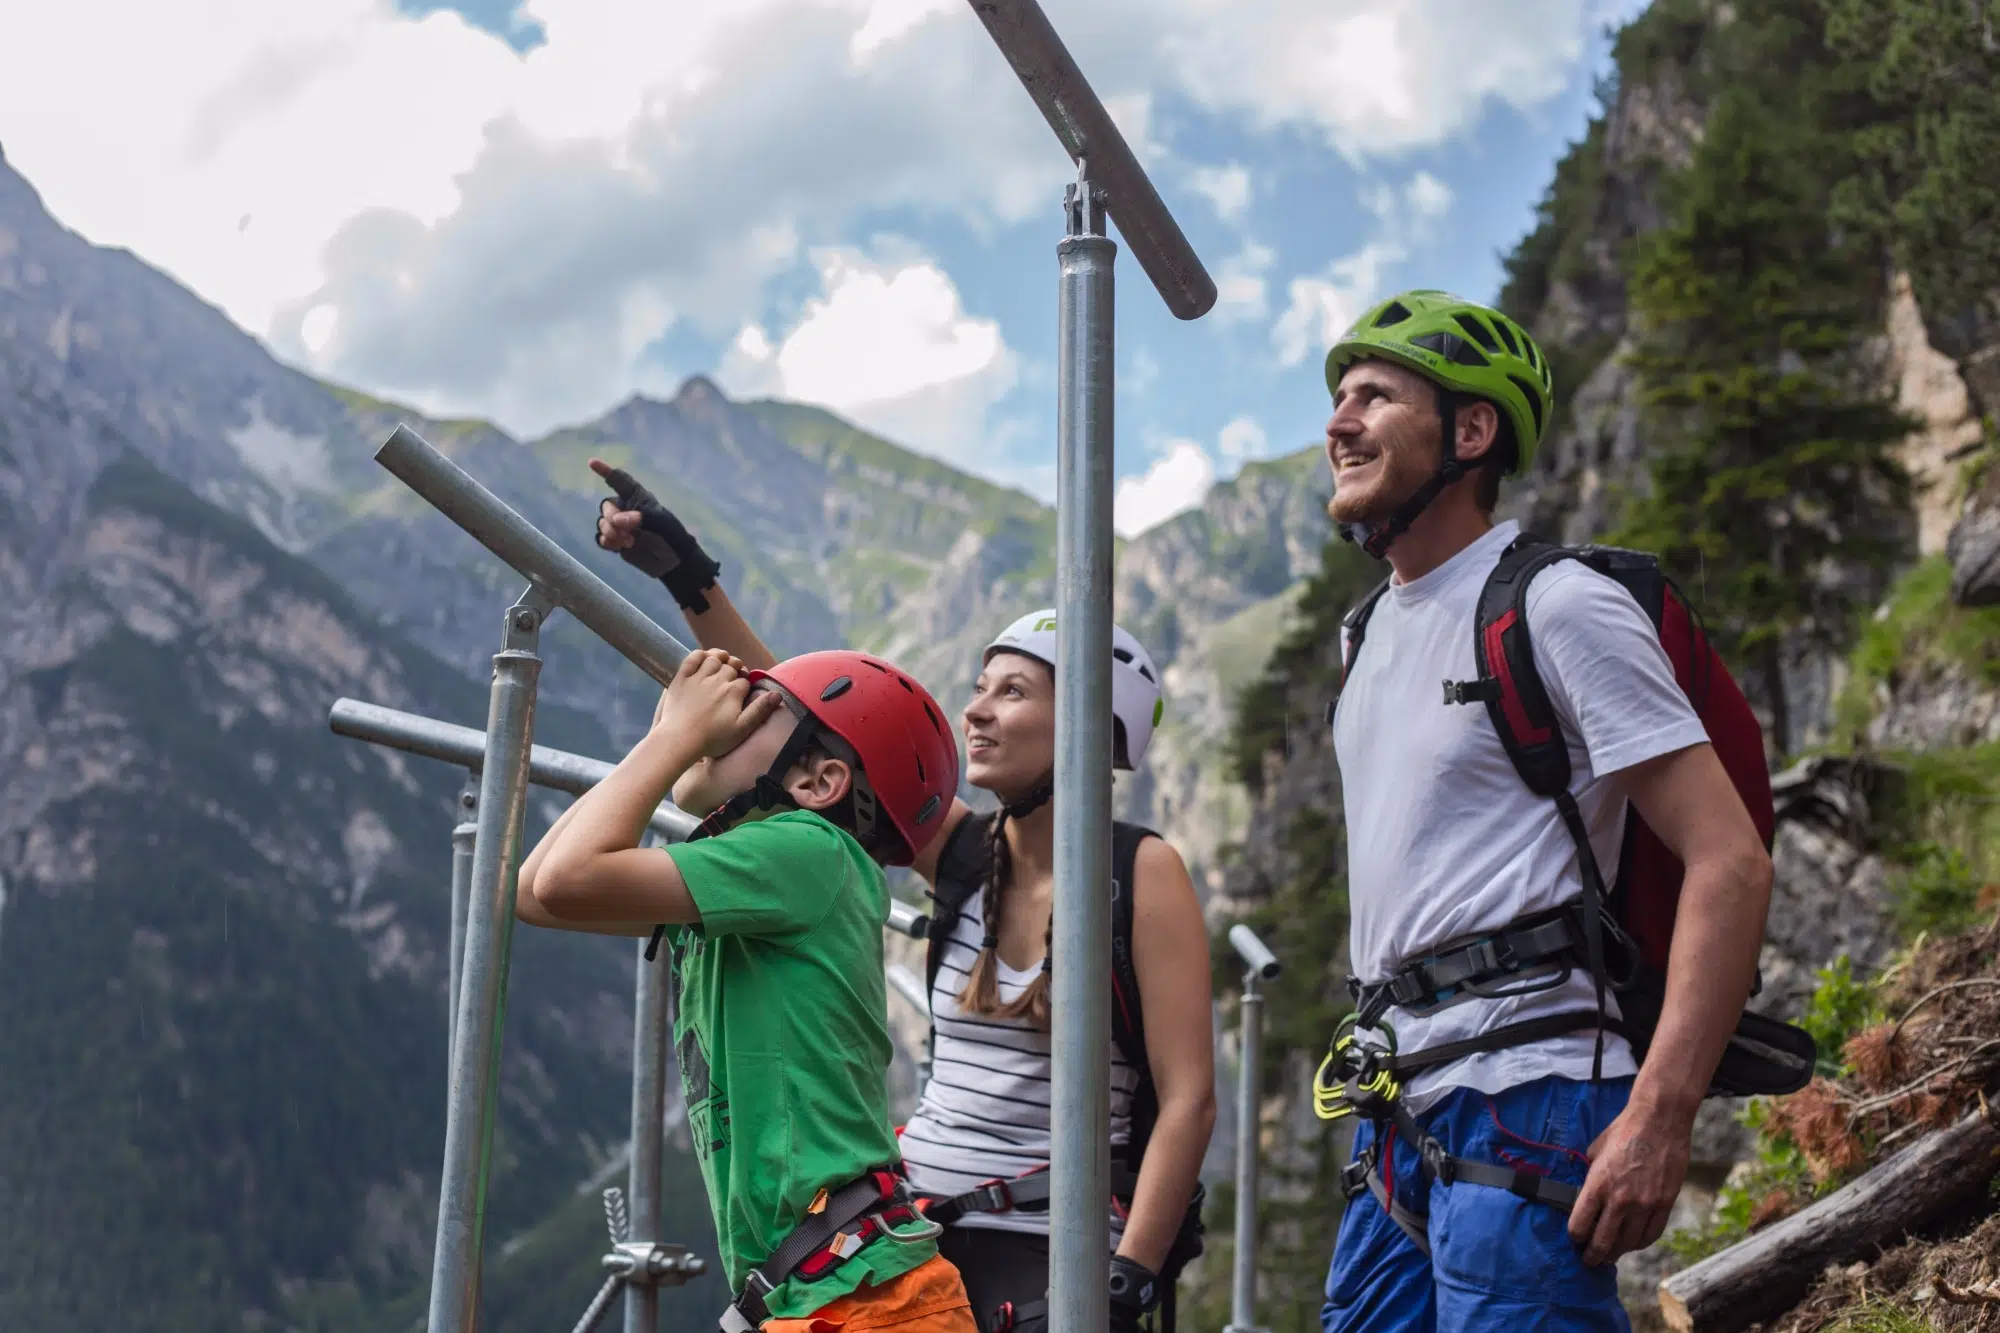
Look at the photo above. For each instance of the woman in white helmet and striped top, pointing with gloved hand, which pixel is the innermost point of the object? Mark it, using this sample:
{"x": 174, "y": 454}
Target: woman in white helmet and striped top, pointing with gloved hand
{"x": 979, "y": 1142}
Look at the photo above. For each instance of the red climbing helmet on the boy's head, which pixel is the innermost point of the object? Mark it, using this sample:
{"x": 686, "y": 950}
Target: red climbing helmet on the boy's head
{"x": 893, "y": 726}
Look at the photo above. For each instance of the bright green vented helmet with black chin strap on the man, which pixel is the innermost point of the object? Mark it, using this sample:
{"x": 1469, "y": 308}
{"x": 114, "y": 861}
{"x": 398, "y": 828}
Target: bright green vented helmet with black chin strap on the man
{"x": 1469, "y": 351}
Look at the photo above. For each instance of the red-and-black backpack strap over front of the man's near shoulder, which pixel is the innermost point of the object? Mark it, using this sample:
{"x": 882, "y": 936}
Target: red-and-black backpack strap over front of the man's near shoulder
{"x": 1511, "y": 686}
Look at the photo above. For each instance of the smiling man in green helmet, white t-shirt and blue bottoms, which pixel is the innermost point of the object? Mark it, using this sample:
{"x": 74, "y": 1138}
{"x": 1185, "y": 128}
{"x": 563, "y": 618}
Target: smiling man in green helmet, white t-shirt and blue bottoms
{"x": 1435, "y": 399}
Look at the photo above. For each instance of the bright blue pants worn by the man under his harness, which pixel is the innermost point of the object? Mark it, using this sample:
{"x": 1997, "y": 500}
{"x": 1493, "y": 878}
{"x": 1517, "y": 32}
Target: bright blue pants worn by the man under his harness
{"x": 1497, "y": 1262}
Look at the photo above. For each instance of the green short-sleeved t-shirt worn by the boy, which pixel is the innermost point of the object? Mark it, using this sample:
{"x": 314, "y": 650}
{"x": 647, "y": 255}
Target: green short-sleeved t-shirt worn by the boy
{"x": 783, "y": 1040}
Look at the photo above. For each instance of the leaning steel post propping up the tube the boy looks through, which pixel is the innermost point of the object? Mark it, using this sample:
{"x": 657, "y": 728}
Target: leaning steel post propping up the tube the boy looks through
{"x": 455, "y": 1276}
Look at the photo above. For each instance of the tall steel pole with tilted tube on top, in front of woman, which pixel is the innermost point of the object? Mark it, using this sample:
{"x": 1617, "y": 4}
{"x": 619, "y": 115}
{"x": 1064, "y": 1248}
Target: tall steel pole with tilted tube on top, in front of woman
{"x": 1111, "y": 179}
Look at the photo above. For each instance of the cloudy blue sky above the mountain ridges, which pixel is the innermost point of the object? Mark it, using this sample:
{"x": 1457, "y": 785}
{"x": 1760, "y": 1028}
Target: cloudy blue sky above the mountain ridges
{"x": 531, "y": 213}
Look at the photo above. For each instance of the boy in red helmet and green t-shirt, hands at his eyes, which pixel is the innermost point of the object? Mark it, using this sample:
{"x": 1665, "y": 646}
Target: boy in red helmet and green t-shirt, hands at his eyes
{"x": 809, "y": 778}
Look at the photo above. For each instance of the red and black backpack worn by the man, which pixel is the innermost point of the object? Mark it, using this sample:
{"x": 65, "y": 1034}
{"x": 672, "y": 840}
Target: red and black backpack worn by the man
{"x": 1641, "y": 904}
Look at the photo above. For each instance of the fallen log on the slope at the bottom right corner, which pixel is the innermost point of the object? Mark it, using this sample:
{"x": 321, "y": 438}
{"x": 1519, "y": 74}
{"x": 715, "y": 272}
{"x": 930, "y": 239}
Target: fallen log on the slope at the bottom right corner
{"x": 1769, "y": 1272}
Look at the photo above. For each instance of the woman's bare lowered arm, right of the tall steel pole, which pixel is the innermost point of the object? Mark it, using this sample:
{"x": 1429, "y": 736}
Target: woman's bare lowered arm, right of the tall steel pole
{"x": 1171, "y": 950}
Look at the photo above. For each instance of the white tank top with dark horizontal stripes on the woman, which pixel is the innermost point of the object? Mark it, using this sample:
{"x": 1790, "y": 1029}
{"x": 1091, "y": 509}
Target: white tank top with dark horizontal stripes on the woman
{"x": 985, "y": 1112}
